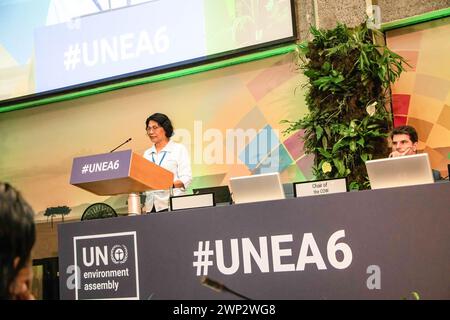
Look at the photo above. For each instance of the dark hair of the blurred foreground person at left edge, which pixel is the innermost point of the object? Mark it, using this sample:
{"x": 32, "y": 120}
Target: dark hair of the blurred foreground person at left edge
{"x": 17, "y": 236}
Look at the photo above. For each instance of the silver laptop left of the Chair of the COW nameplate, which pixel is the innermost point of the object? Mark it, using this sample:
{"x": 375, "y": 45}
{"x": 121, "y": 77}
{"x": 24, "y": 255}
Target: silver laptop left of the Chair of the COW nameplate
{"x": 259, "y": 187}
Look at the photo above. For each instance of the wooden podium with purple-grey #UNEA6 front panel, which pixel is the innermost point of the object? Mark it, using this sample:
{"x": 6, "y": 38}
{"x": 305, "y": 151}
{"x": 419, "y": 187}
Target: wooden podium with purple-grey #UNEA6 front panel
{"x": 122, "y": 172}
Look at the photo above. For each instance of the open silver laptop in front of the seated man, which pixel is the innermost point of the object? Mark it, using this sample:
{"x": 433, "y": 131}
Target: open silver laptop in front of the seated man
{"x": 399, "y": 171}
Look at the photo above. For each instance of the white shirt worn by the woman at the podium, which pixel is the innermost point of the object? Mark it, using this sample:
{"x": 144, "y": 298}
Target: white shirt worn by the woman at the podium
{"x": 175, "y": 158}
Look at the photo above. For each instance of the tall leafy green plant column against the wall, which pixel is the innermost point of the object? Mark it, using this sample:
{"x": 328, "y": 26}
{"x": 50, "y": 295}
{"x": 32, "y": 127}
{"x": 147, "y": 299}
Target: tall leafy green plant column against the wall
{"x": 348, "y": 88}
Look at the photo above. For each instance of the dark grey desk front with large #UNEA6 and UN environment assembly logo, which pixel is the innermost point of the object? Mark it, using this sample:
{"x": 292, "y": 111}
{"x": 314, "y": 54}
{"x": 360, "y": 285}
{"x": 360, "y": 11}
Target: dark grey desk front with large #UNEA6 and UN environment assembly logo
{"x": 376, "y": 244}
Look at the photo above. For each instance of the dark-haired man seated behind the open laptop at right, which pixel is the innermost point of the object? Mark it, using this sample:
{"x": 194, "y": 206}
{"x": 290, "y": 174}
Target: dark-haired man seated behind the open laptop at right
{"x": 404, "y": 142}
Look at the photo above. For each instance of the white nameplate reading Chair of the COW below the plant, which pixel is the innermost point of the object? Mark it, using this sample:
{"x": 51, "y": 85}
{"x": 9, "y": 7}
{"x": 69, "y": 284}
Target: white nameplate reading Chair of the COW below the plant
{"x": 316, "y": 188}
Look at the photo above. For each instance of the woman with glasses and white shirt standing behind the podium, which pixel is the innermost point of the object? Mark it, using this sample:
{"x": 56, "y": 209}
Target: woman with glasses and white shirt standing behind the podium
{"x": 169, "y": 155}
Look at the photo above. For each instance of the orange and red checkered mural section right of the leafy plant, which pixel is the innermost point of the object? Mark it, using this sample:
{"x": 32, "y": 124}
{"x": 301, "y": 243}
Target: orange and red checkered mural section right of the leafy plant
{"x": 421, "y": 97}
